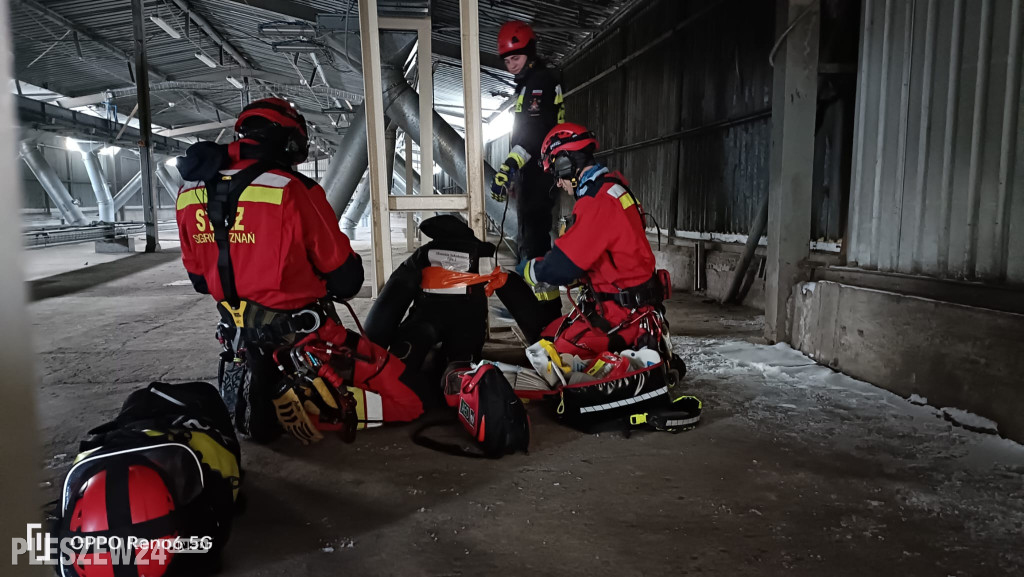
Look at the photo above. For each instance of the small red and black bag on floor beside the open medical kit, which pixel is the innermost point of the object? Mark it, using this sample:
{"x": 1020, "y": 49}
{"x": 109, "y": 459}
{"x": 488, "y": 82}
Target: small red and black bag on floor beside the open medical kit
{"x": 488, "y": 409}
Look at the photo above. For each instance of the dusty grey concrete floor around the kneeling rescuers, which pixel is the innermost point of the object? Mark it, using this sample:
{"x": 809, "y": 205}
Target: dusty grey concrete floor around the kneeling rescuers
{"x": 838, "y": 488}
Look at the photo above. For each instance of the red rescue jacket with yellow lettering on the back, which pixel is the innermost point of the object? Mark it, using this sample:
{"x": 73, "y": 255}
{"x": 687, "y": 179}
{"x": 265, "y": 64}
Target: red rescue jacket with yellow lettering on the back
{"x": 286, "y": 245}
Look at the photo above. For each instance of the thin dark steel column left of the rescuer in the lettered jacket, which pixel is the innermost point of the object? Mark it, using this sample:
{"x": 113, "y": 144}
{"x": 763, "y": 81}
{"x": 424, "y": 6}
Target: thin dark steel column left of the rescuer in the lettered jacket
{"x": 150, "y": 202}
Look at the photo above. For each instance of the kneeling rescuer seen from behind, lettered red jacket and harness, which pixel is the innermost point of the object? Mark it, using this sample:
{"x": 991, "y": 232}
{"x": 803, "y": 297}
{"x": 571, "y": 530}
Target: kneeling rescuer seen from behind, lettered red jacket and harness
{"x": 262, "y": 239}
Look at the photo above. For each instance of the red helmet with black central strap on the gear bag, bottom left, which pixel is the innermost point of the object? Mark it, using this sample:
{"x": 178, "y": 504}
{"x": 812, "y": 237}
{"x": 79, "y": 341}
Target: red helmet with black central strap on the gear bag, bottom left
{"x": 148, "y": 502}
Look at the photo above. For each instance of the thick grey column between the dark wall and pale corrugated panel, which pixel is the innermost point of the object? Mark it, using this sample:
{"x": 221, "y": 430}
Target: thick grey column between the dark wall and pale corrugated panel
{"x": 794, "y": 108}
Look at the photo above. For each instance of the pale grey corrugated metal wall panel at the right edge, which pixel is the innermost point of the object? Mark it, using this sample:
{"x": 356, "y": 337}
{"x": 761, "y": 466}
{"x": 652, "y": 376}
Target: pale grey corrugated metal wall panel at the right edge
{"x": 938, "y": 186}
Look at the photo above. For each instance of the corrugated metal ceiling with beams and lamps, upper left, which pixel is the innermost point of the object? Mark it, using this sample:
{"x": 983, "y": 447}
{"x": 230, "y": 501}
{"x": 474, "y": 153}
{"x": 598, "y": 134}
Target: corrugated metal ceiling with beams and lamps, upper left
{"x": 47, "y": 54}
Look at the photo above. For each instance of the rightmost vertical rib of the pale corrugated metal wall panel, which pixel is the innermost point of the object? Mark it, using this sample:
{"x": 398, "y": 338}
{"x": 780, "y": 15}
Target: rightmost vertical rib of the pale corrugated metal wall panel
{"x": 1008, "y": 144}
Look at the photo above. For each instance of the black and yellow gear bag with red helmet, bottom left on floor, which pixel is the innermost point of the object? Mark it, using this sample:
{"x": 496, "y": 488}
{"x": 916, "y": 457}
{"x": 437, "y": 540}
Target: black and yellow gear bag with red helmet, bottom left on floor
{"x": 167, "y": 468}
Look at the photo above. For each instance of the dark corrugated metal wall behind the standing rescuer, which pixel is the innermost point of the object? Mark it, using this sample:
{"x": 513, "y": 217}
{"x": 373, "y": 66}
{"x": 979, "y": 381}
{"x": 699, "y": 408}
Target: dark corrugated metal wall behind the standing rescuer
{"x": 688, "y": 121}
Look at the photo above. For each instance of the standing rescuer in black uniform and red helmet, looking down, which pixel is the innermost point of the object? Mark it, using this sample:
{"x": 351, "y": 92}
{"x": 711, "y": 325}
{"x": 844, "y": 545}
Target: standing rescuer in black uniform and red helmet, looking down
{"x": 538, "y": 109}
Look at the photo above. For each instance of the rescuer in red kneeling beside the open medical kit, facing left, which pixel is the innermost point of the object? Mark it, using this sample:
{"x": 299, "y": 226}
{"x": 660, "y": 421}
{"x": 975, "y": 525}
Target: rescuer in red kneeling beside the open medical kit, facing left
{"x": 605, "y": 249}
